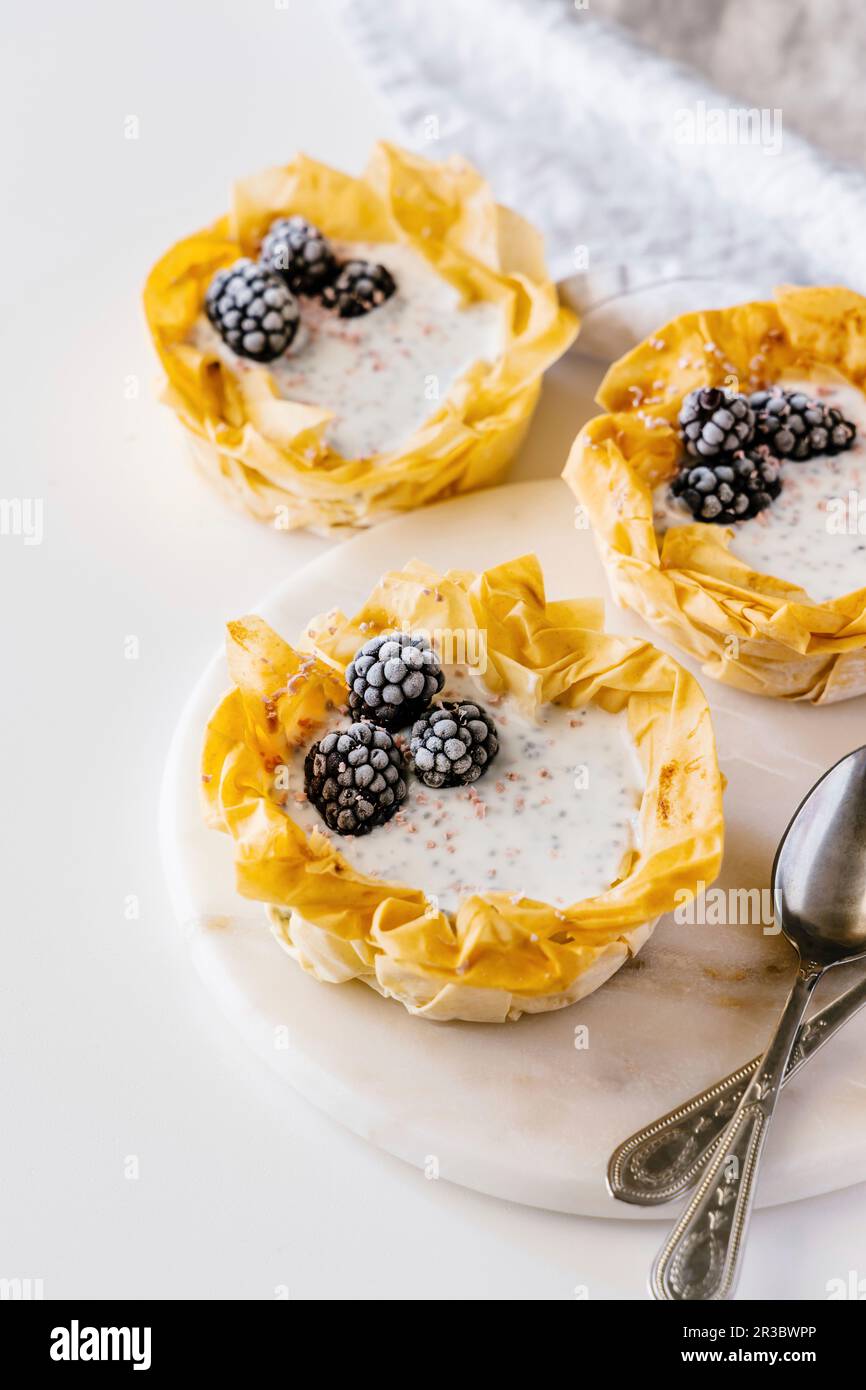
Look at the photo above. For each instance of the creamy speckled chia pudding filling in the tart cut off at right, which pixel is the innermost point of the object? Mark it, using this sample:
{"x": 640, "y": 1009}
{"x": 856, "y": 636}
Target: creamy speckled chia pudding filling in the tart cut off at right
{"x": 814, "y": 534}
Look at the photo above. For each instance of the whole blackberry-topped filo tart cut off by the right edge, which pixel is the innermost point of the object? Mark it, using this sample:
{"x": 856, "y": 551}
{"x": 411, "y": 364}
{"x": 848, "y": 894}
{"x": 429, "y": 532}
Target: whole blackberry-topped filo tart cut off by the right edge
{"x": 726, "y": 489}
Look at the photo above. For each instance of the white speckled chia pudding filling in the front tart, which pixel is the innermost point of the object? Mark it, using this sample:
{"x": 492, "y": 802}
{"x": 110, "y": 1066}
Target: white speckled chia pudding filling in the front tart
{"x": 555, "y": 818}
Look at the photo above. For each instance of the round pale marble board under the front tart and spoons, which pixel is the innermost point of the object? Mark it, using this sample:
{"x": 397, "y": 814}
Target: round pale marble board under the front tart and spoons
{"x": 518, "y": 1110}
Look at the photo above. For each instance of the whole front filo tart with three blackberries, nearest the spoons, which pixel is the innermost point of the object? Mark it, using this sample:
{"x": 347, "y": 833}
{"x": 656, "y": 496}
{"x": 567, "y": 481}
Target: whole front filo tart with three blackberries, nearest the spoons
{"x": 468, "y": 797}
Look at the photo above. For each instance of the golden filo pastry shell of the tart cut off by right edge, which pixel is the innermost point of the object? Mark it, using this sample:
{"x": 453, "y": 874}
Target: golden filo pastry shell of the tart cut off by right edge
{"x": 755, "y": 632}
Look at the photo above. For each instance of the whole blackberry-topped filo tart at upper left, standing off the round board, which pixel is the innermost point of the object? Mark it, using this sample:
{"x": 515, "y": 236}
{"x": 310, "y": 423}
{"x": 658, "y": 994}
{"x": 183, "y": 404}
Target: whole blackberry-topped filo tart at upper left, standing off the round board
{"x": 340, "y": 350}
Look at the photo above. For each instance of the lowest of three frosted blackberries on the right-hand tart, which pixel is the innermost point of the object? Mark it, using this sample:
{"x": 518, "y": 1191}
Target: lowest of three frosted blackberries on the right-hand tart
{"x": 733, "y": 489}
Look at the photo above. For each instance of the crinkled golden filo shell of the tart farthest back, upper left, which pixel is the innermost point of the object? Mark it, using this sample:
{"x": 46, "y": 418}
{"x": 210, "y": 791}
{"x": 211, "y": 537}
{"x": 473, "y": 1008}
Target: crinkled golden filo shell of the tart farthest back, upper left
{"x": 270, "y": 454}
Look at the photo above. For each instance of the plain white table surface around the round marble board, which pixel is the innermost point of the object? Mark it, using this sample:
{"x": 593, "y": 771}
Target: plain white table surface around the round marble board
{"x": 113, "y": 1057}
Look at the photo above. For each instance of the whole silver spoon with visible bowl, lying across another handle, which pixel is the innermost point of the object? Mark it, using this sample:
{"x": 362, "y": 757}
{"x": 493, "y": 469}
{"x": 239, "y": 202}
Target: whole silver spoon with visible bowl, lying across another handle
{"x": 819, "y": 899}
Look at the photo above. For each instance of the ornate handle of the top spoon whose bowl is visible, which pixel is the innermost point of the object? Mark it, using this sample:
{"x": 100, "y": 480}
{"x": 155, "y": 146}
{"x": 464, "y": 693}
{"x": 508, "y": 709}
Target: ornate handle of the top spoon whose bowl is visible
{"x": 700, "y": 1260}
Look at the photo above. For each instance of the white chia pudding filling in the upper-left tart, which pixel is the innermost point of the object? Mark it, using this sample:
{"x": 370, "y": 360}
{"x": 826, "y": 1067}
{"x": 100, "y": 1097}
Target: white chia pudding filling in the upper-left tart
{"x": 386, "y": 373}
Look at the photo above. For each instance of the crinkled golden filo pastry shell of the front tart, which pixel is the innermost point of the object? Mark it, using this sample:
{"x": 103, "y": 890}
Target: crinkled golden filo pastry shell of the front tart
{"x": 501, "y": 954}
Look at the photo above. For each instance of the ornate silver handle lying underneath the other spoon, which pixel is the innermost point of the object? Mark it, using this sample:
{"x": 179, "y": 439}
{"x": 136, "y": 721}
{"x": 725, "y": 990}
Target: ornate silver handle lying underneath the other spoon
{"x": 662, "y": 1161}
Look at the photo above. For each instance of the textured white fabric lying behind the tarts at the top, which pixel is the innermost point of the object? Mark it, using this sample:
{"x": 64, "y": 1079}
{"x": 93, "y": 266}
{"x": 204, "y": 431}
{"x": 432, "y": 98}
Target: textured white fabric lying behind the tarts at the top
{"x": 587, "y": 134}
